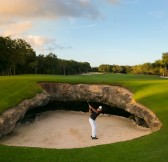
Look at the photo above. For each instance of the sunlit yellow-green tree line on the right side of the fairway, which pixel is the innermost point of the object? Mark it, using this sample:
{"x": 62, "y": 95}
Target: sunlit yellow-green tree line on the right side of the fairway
{"x": 159, "y": 67}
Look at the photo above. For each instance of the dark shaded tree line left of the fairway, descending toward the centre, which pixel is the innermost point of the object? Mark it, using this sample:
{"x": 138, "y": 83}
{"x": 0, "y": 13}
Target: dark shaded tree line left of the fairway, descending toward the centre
{"x": 18, "y": 57}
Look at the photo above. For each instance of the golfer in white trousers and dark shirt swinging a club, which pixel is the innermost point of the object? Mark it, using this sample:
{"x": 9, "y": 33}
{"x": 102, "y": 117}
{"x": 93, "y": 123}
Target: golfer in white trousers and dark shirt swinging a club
{"x": 92, "y": 119}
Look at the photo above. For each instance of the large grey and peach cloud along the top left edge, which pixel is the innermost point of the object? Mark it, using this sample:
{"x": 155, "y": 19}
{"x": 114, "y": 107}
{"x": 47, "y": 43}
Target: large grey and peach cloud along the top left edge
{"x": 51, "y": 9}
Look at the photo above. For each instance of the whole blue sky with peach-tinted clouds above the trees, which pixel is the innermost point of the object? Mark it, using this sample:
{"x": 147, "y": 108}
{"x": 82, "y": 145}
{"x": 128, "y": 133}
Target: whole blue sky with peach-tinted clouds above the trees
{"x": 120, "y": 32}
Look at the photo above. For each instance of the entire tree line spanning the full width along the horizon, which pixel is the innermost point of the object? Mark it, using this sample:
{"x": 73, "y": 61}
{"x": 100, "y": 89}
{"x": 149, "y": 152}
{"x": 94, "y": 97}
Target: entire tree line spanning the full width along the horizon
{"x": 18, "y": 57}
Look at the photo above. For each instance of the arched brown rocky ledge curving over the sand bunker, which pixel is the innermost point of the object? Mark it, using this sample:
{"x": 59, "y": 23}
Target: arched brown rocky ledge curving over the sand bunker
{"x": 113, "y": 96}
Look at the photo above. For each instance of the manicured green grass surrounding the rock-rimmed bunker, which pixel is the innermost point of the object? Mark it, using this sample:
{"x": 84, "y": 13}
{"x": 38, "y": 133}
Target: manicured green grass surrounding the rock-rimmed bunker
{"x": 151, "y": 91}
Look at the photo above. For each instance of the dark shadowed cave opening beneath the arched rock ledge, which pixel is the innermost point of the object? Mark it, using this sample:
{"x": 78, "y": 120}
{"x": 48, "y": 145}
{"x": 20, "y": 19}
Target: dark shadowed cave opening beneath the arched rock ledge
{"x": 82, "y": 106}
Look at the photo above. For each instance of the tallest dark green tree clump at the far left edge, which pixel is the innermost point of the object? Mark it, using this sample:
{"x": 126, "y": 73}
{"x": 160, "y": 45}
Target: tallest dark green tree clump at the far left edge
{"x": 13, "y": 55}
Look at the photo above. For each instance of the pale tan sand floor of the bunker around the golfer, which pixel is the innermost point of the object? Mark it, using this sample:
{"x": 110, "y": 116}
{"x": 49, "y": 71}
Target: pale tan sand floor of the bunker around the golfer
{"x": 70, "y": 129}
